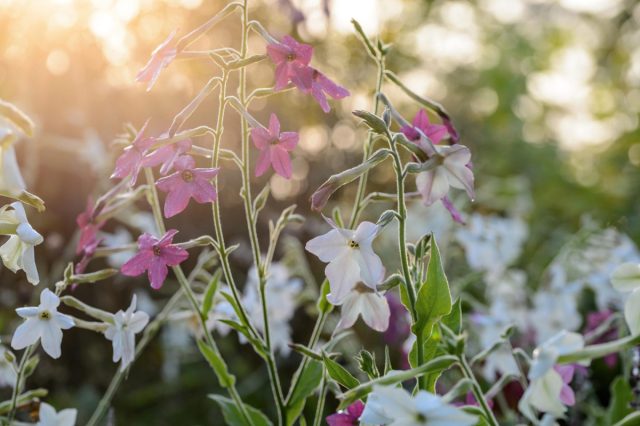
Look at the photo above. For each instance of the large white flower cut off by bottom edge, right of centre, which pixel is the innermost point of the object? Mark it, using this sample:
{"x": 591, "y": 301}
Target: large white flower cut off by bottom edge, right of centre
{"x": 388, "y": 405}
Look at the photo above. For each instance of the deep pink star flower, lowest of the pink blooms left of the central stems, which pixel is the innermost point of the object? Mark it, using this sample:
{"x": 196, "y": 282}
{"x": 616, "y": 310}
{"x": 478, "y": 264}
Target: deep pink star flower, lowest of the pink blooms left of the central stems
{"x": 154, "y": 256}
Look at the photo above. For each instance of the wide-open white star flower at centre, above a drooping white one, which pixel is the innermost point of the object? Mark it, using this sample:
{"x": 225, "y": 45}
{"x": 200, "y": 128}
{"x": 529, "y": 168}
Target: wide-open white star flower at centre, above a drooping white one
{"x": 351, "y": 258}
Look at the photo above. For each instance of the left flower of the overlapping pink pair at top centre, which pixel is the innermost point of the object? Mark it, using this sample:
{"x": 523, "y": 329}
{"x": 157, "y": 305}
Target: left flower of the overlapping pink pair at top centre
{"x": 290, "y": 58}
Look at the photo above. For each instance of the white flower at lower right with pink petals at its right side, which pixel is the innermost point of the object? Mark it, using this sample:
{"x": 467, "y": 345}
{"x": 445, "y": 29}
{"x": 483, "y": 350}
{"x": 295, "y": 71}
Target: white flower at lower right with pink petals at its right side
{"x": 548, "y": 390}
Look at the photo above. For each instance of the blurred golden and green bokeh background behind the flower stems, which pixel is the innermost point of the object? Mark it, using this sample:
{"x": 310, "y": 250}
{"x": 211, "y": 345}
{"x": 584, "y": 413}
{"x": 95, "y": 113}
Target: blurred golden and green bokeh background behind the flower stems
{"x": 545, "y": 93}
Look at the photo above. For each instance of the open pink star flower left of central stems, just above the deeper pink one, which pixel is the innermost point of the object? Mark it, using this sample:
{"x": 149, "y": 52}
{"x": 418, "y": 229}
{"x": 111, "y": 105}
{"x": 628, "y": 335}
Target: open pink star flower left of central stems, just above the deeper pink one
{"x": 186, "y": 183}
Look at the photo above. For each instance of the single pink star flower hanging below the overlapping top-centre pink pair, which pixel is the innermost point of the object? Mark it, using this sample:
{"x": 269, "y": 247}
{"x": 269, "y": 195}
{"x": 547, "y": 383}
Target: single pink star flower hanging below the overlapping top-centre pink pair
{"x": 274, "y": 148}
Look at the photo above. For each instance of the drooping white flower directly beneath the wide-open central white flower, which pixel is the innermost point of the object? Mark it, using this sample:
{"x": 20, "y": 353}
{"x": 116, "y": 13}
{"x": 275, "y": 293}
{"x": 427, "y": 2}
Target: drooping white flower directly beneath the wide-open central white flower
{"x": 362, "y": 301}
